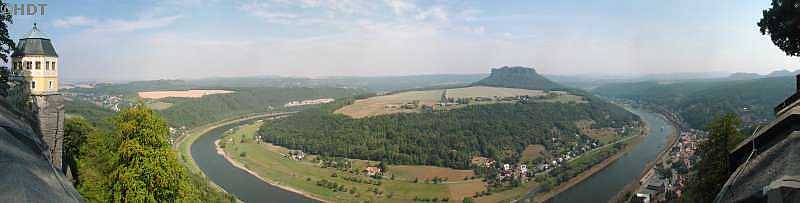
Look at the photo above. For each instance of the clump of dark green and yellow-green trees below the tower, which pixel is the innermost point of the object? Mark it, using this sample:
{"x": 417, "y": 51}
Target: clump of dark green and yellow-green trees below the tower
{"x": 132, "y": 162}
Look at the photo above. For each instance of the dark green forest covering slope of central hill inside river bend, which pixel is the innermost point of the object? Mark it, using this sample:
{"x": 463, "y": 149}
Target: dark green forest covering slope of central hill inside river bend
{"x": 441, "y": 138}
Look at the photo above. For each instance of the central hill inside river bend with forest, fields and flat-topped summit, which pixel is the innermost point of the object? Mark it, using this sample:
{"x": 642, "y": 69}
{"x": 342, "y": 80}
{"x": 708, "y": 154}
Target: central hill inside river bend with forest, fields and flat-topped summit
{"x": 450, "y": 136}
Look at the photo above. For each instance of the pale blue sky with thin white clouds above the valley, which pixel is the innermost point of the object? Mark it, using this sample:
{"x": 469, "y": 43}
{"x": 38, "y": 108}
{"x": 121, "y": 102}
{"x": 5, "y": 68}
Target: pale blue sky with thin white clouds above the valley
{"x": 162, "y": 39}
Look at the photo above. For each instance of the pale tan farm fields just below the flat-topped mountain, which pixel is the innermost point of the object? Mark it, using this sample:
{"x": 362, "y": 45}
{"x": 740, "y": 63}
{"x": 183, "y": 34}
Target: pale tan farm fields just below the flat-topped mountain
{"x": 393, "y": 103}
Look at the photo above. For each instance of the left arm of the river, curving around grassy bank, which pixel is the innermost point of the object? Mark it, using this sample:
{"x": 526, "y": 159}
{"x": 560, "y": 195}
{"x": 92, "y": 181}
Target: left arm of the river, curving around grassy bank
{"x": 244, "y": 186}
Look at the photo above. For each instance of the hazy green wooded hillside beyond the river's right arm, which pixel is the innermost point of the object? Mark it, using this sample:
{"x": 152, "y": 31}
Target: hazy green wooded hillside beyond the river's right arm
{"x": 697, "y": 101}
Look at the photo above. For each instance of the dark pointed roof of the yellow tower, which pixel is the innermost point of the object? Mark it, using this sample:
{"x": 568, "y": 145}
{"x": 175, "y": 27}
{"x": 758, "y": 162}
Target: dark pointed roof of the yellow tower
{"x": 34, "y": 43}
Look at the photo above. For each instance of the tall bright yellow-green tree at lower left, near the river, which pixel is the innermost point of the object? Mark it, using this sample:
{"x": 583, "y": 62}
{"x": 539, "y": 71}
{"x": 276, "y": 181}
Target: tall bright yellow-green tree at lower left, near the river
{"x": 145, "y": 168}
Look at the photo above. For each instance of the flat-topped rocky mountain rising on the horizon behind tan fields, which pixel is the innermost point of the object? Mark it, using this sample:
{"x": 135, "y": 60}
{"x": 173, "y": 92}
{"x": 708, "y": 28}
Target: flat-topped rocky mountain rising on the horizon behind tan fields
{"x": 518, "y": 77}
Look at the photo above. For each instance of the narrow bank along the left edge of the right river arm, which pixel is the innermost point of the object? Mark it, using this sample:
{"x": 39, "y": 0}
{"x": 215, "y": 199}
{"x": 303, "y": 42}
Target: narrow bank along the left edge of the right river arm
{"x": 629, "y": 145}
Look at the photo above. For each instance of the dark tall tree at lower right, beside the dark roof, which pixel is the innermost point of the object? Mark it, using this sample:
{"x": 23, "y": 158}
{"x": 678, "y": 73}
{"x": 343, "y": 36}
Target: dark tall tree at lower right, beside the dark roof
{"x": 712, "y": 167}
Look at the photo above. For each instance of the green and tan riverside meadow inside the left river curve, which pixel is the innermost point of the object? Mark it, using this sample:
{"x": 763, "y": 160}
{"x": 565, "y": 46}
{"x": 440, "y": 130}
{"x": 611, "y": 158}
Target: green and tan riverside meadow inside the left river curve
{"x": 268, "y": 161}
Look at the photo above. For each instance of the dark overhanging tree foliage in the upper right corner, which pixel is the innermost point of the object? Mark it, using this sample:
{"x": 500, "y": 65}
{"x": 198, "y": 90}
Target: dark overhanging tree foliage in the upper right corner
{"x": 782, "y": 23}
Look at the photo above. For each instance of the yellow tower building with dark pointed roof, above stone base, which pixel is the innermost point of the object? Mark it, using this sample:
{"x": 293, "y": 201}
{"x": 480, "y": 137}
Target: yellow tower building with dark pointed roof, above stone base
{"x": 36, "y": 62}
